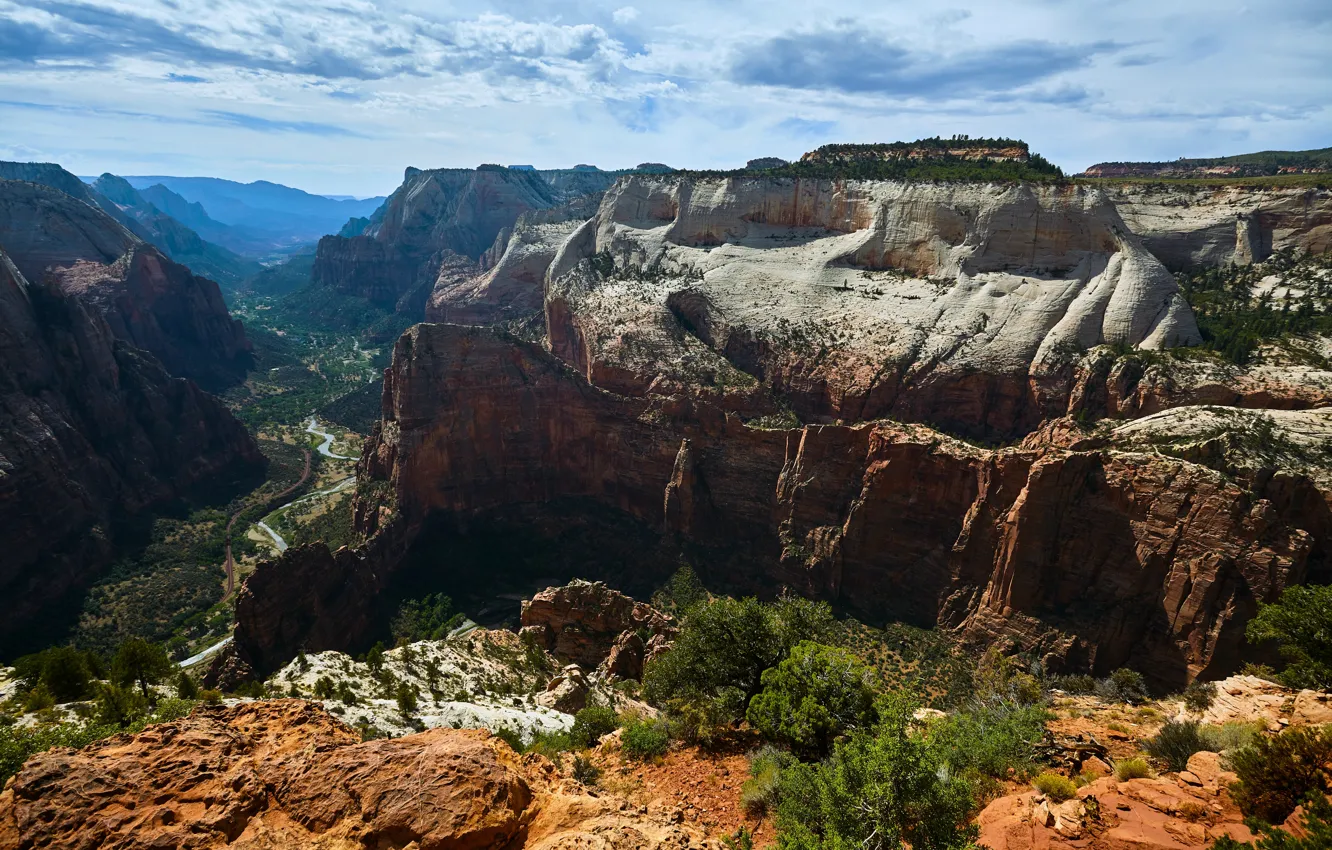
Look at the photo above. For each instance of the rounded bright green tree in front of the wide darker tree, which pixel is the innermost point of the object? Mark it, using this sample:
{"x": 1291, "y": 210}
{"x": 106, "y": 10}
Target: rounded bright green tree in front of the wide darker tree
{"x": 817, "y": 695}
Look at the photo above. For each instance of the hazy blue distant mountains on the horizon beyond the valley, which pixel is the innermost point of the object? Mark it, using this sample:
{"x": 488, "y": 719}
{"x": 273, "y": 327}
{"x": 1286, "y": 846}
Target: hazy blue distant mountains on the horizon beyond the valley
{"x": 264, "y": 216}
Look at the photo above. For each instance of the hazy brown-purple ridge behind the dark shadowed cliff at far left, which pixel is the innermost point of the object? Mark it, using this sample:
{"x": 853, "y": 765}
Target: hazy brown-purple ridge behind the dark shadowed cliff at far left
{"x": 149, "y": 300}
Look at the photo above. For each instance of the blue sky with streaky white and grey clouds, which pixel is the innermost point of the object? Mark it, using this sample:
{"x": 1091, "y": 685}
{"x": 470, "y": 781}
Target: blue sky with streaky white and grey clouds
{"x": 339, "y": 98}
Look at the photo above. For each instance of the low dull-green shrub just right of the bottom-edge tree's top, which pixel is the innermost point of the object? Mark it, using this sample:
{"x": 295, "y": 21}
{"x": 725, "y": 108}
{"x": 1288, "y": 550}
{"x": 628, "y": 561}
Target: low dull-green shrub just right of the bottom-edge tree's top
{"x": 993, "y": 740}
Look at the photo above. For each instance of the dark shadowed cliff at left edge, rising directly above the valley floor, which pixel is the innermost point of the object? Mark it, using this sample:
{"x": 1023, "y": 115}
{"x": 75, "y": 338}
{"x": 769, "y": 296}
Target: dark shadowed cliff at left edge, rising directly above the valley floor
{"x": 91, "y": 431}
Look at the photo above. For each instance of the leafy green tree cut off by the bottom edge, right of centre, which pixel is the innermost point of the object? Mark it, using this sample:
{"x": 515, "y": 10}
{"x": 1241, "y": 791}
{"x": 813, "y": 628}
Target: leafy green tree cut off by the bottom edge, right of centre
{"x": 881, "y": 789}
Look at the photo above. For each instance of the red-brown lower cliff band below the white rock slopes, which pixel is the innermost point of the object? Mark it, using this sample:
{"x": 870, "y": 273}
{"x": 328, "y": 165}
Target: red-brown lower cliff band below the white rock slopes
{"x": 1090, "y": 559}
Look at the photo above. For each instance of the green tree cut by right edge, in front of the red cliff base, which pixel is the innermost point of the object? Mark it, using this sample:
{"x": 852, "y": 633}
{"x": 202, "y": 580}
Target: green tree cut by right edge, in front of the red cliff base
{"x": 1302, "y": 623}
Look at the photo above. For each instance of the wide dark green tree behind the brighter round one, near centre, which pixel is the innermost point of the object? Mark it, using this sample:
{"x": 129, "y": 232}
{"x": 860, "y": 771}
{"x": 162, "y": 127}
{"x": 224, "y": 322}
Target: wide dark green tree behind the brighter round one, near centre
{"x": 725, "y": 645}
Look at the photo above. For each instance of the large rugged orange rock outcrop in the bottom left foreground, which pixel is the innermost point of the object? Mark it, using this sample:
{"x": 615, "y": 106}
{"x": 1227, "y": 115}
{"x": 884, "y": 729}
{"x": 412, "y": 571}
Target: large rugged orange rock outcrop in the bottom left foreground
{"x": 287, "y": 775}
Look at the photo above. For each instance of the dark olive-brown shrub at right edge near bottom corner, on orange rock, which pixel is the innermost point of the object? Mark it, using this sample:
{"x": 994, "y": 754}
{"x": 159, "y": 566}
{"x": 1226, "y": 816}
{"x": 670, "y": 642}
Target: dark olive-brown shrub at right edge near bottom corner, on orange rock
{"x": 1277, "y": 773}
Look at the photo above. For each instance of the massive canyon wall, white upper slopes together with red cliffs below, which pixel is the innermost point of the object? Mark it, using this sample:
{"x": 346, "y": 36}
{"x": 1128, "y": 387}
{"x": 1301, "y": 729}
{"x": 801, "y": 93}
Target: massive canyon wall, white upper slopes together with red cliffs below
{"x": 776, "y": 378}
